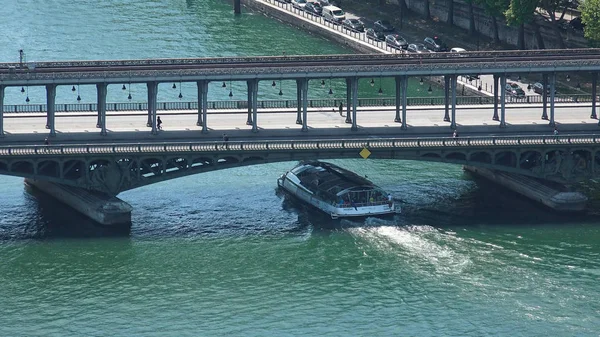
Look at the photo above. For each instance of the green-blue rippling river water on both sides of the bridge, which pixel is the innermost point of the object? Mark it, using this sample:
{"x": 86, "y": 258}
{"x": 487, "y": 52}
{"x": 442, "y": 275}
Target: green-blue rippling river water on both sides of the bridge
{"x": 223, "y": 253}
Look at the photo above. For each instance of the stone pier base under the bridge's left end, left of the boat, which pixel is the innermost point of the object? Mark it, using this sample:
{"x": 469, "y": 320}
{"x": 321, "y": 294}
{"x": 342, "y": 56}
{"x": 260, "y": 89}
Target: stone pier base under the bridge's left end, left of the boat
{"x": 104, "y": 209}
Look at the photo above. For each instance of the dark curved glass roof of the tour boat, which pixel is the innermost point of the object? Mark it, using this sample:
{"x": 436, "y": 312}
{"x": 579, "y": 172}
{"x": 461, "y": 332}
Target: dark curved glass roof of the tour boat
{"x": 331, "y": 178}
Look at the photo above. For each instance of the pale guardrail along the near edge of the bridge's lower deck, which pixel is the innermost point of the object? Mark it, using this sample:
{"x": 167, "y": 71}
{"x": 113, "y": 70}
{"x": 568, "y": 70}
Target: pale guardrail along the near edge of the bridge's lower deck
{"x": 296, "y": 145}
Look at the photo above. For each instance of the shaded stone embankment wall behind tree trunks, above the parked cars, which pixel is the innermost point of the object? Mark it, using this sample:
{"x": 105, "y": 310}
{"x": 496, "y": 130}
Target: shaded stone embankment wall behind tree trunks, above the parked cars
{"x": 483, "y": 24}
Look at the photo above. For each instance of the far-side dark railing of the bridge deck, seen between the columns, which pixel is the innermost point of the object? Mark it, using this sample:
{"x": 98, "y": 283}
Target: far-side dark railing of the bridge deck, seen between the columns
{"x": 286, "y": 104}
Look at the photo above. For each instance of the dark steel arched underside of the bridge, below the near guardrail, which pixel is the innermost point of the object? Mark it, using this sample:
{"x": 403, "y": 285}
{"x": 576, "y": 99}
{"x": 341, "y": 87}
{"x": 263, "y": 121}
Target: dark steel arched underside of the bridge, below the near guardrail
{"x": 115, "y": 173}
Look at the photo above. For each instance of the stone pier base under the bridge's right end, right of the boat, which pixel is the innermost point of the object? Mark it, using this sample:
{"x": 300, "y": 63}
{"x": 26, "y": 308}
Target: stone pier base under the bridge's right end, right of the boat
{"x": 534, "y": 189}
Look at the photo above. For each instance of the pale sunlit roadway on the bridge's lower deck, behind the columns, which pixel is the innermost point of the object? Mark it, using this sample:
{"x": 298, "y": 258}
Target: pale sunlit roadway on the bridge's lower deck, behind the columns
{"x": 323, "y": 123}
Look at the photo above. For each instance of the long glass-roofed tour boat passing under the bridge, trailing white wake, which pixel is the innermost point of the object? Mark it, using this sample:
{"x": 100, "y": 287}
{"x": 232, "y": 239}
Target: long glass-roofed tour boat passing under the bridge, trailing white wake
{"x": 336, "y": 191}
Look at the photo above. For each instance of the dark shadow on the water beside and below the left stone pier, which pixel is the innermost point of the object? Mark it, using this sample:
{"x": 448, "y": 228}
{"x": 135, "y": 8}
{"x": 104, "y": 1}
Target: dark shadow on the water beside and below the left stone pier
{"x": 54, "y": 220}
